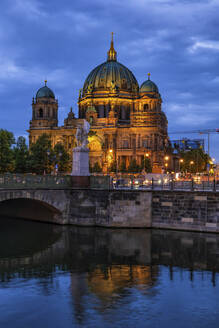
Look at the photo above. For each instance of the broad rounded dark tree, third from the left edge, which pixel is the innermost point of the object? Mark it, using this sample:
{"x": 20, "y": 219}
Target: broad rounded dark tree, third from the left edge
{"x": 41, "y": 155}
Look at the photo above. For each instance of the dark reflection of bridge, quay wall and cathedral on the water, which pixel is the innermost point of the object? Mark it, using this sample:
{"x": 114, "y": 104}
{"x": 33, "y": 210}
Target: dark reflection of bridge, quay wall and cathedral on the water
{"x": 103, "y": 266}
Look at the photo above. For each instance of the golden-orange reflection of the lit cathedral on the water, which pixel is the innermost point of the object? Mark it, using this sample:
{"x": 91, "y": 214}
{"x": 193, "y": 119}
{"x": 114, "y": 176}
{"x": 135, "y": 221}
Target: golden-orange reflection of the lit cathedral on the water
{"x": 109, "y": 284}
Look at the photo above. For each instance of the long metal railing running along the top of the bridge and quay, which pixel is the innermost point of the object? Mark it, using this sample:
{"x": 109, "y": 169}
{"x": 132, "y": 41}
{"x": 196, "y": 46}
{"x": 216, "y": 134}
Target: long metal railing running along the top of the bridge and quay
{"x": 31, "y": 181}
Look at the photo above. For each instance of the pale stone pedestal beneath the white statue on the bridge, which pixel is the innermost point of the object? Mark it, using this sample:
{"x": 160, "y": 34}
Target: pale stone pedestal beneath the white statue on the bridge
{"x": 80, "y": 164}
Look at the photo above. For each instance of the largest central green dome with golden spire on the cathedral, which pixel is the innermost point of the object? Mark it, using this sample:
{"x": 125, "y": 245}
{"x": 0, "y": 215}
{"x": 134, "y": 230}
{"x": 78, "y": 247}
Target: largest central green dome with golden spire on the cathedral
{"x": 111, "y": 75}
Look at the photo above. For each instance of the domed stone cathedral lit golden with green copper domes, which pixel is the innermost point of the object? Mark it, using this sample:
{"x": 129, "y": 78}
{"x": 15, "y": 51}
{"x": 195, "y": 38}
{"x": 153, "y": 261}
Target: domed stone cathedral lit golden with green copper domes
{"x": 127, "y": 121}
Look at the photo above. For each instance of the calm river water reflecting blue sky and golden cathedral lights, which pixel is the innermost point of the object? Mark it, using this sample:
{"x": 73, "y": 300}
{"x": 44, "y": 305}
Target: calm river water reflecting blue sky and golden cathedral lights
{"x": 100, "y": 273}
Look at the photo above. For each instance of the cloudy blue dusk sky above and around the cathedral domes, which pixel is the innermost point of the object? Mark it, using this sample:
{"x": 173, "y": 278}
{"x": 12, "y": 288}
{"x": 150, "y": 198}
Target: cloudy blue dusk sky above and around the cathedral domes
{"x": 62, "y": 41}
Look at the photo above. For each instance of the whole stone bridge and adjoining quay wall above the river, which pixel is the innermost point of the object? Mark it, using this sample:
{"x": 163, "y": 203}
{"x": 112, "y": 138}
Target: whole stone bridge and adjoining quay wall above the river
{"x": 62, "y": 203}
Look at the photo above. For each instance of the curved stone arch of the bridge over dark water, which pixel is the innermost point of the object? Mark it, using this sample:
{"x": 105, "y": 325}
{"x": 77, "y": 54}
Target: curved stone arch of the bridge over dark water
{"x": 38, "y": 205}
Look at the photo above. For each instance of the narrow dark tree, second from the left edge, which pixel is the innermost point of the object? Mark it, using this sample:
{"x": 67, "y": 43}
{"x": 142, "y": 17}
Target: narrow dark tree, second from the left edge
{"x": 21, "y": 155}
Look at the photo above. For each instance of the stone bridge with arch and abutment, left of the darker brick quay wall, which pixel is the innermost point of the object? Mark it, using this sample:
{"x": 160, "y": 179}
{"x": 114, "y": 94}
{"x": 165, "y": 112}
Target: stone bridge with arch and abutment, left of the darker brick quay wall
{"x": 88, "y": 207}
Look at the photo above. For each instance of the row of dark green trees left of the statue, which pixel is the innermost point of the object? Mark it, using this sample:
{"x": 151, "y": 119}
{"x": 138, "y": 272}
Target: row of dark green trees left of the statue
{"x": 40, "y": 158}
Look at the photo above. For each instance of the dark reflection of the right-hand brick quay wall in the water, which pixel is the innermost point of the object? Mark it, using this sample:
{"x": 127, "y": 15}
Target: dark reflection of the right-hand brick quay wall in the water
{"x": 193, "y": 251}
